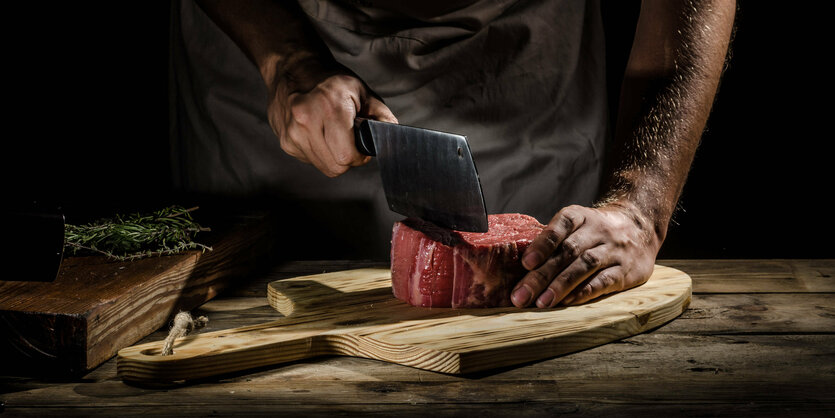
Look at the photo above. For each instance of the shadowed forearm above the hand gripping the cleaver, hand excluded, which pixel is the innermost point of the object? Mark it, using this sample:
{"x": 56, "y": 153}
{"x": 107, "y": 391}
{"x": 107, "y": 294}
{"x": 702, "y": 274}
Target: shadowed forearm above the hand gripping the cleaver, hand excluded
{"x": 277, "y": 38}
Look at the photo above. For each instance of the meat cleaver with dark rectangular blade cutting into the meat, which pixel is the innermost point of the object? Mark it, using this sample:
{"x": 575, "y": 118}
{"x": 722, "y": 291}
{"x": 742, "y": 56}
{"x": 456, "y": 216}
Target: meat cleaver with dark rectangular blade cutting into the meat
{"x": 426, "y": 174}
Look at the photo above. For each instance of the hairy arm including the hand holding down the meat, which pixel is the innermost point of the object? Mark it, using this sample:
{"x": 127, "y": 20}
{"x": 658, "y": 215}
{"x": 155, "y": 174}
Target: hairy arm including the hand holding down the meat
{"x": 670, "y": 81}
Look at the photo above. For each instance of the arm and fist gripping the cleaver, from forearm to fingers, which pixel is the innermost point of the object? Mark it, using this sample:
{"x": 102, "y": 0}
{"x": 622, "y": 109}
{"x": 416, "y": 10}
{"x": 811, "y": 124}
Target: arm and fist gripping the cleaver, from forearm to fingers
{"x": 312, "y": 99}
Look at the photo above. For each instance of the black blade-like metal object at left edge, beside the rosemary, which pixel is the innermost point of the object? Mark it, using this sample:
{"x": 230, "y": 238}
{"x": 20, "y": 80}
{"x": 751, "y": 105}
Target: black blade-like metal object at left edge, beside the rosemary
{"x": 34, "y": 246}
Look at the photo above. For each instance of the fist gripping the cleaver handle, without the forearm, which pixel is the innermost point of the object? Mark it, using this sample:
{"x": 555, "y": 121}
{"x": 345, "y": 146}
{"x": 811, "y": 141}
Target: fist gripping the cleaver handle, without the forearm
{"x": 316, "y": 126}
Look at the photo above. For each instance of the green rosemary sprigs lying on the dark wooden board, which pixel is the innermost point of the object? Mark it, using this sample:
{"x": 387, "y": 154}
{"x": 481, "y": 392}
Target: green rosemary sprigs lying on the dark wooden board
{"x": 167, "y": 231}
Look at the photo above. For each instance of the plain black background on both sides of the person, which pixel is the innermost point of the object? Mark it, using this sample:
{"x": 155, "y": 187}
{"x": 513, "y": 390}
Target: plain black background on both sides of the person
{"x": 87, "y": 124}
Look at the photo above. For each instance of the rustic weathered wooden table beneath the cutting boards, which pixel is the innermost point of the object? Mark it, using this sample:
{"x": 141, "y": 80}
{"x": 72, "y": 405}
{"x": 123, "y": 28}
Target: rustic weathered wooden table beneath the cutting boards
{"x": 758, "y": 339}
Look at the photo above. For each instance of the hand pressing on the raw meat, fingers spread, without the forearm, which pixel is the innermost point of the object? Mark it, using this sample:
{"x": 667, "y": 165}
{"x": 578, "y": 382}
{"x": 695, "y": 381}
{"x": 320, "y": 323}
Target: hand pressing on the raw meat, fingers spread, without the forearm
{"x": 584, "y": 253}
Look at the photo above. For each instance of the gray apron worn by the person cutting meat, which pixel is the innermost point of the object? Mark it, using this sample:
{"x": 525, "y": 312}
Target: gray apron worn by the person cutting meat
{"x": 523, "y": 80}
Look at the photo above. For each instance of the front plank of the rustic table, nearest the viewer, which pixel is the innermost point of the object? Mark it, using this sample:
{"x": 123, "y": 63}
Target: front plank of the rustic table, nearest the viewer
{"x": 703, "y": 373}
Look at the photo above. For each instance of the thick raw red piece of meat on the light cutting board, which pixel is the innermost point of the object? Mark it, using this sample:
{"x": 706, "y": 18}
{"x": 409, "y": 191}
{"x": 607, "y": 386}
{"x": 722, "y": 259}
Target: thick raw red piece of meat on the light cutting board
{"x": 437, "y": 267}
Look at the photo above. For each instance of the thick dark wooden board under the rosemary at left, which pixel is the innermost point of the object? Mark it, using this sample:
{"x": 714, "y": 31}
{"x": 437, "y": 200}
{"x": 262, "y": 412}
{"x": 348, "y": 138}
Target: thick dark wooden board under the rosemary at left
{"x": 97, "y": 306}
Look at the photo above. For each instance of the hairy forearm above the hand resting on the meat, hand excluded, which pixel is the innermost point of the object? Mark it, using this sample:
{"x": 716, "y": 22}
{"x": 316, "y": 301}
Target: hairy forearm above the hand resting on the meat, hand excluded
{"x": 669, "y": 85}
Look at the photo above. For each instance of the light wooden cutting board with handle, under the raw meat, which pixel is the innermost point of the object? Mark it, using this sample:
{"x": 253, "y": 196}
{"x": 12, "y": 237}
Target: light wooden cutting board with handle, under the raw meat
{"x": 353, "y": 313}
